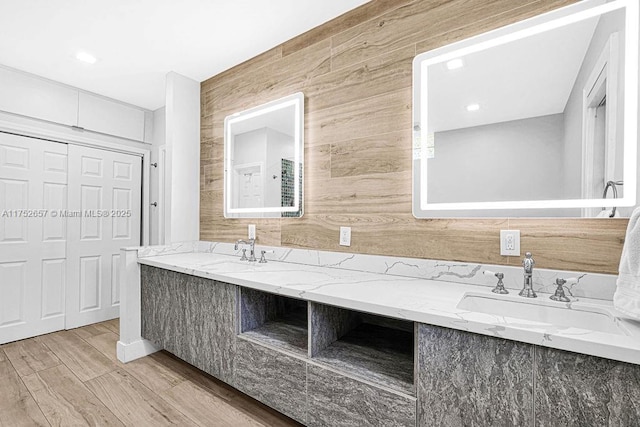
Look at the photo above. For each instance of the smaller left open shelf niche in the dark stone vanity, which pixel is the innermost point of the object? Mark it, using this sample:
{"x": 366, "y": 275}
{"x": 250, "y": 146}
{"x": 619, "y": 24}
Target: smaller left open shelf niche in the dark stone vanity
{"x": 274, "y": 320}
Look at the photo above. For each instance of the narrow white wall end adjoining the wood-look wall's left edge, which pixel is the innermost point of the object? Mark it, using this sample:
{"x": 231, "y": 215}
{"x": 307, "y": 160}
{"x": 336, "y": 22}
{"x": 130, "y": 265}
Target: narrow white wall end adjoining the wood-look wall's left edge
{"x": 182, "y": 175}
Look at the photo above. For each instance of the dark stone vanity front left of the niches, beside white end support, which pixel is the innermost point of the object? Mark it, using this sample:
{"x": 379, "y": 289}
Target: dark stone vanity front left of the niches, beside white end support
{"x": 191, "y": 317}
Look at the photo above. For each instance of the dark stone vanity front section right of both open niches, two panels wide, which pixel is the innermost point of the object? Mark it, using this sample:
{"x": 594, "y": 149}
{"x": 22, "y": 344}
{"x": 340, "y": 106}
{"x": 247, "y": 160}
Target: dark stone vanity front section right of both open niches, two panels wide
{"x": 468, "y": 379}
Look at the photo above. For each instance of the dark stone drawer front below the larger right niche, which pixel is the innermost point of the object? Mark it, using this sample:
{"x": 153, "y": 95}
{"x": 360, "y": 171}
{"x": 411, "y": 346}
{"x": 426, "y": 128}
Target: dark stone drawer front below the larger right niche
{"x": 337, "y": 400}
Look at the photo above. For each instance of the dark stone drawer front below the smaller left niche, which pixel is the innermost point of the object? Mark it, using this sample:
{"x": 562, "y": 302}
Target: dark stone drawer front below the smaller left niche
{"x": 275, "y": 379}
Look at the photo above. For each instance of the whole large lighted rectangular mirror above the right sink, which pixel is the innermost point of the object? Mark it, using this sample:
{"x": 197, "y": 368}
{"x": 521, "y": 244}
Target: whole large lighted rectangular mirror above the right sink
{"x": 538, "y": 118}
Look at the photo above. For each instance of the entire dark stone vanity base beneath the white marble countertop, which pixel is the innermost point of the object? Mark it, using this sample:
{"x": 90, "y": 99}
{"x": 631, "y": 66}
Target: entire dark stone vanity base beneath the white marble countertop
{"x": 330, "y": 366}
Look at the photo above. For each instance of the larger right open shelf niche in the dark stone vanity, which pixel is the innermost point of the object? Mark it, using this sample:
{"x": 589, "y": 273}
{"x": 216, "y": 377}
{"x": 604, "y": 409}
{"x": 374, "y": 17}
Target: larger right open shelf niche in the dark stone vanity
{"x": 375, "y": 348}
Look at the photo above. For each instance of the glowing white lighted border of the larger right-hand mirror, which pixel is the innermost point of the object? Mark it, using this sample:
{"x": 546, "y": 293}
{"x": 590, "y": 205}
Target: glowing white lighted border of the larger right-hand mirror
{"x": 544, "y": 22}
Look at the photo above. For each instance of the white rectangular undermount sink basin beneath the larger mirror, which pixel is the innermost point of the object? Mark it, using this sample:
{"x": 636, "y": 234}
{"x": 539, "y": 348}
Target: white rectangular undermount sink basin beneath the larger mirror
{"x": 539, "y": 311}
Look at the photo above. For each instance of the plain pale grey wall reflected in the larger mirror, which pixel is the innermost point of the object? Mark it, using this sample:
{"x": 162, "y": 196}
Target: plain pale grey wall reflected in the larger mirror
{"x": 468, "y": 165}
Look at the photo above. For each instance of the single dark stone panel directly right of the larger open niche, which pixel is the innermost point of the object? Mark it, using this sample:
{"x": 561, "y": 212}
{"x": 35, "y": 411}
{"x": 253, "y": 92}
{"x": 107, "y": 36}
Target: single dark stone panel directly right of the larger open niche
{"x": 466, "y": 379}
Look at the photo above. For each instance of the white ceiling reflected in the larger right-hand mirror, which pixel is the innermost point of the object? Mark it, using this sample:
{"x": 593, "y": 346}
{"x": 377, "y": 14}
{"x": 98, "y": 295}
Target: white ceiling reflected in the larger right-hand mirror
{"x": 530, "y": 77}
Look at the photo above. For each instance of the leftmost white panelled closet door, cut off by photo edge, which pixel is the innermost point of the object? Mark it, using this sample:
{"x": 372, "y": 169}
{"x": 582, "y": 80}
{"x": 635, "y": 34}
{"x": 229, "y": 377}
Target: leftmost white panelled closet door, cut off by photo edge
{"x": 33, "y": 190}
